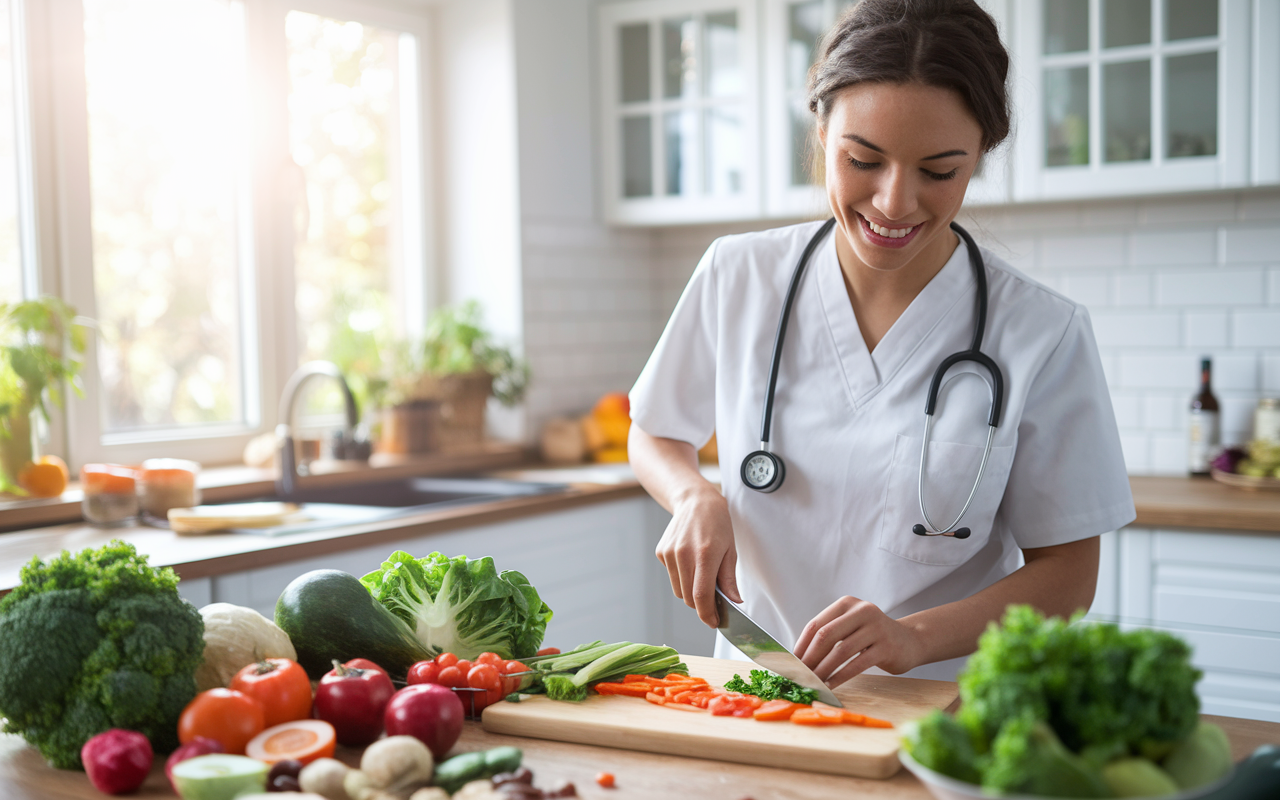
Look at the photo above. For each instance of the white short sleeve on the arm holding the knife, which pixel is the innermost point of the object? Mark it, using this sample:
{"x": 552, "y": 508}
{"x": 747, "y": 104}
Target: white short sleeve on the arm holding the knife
{"x": 675, "y": 396}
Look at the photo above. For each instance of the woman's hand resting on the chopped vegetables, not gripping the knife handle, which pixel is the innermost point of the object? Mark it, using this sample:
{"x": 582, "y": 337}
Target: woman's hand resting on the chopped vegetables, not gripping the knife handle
{"x": 852, "y": 628}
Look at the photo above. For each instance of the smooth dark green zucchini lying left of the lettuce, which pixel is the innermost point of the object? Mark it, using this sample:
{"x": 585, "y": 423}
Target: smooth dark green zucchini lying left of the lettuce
{"x": 330, "y": 616}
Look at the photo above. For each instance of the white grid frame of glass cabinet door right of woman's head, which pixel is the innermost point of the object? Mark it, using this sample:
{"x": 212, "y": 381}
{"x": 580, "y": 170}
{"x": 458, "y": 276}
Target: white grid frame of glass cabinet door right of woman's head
{"x": 1229, "y": 168}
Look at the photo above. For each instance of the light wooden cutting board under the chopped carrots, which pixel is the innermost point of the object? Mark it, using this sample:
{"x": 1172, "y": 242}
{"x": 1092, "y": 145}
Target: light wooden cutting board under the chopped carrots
{"x": 632, "y": 724}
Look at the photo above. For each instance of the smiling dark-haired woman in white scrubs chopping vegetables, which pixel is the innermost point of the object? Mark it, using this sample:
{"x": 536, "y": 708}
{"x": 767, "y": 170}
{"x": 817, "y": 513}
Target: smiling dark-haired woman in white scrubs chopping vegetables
{"x": 908, "y": 97}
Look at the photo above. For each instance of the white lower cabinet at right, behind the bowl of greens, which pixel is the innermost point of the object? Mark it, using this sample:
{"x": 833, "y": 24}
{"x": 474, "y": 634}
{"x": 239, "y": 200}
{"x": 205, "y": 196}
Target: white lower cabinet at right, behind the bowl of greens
{"x": 1219, "y": 592}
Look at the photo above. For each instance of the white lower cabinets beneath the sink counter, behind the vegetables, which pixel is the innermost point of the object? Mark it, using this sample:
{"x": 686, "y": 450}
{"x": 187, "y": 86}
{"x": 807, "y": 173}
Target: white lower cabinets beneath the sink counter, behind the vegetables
{"x": 595, "y": 566}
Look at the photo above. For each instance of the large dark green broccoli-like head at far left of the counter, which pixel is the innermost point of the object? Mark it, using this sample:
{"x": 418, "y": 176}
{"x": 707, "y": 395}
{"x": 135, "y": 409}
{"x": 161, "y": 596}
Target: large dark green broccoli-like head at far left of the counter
{"x": 93, "y": 642}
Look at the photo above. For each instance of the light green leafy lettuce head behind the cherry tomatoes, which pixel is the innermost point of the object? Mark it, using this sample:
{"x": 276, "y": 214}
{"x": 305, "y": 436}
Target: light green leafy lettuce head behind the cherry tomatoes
{"x": 461, "y": 606}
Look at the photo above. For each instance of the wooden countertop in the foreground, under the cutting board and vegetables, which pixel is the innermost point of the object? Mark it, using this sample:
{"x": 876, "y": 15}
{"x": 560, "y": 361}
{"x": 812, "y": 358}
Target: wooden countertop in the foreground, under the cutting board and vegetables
{"x": 25, "y": 776}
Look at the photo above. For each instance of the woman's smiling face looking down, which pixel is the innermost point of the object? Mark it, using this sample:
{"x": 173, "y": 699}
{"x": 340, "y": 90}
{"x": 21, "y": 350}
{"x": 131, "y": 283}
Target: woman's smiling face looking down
{"x": 899, "y": 158}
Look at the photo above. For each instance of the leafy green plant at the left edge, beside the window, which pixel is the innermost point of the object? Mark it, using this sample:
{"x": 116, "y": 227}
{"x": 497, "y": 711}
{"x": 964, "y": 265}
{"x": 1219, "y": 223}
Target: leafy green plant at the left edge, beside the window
{"x": 42, "y": 345}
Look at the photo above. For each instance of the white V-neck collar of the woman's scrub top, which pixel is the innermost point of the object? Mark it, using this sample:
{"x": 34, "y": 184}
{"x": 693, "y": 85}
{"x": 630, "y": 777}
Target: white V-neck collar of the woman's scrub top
{"x": 867, "y": 372}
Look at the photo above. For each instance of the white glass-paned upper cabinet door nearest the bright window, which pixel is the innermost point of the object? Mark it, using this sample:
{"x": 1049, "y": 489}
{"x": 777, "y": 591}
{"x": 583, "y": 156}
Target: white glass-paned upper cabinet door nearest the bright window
{"x": 682, "y": 108}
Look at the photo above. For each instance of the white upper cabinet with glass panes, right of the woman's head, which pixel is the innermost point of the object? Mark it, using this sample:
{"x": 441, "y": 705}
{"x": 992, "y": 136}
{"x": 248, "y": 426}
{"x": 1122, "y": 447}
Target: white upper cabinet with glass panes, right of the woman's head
{"x": 1141, "y": 97}
